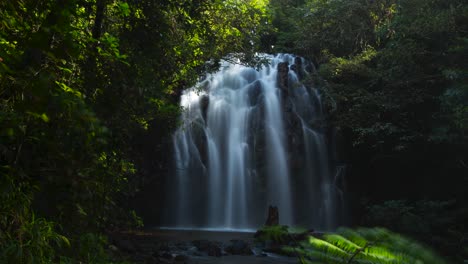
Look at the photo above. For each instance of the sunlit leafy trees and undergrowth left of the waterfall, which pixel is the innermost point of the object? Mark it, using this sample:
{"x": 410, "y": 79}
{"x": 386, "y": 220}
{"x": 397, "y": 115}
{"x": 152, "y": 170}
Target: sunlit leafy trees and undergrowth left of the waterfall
{"x": 82, "y": 85}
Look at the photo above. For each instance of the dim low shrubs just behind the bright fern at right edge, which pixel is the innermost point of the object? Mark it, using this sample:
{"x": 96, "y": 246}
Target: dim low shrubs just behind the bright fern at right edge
{"x": 439, "y": 223}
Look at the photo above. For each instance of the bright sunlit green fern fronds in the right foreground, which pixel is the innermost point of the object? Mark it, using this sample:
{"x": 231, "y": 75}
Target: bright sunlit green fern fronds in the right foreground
{"x": 365, "y": 245}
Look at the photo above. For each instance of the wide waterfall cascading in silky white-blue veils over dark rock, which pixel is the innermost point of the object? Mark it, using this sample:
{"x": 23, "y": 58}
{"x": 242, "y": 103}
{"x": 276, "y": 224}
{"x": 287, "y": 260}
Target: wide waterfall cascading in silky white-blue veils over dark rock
{"x": 249, "y": 139}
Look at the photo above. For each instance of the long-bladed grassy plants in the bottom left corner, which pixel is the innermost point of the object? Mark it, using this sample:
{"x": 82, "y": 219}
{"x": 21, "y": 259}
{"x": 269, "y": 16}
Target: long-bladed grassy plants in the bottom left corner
{"x": 24, "y": 238}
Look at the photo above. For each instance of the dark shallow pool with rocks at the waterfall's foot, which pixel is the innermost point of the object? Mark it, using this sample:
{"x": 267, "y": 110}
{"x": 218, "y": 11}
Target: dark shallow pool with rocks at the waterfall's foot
{"x": 193, "y": 247}
